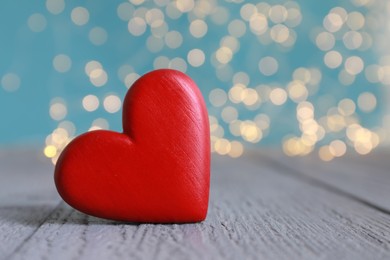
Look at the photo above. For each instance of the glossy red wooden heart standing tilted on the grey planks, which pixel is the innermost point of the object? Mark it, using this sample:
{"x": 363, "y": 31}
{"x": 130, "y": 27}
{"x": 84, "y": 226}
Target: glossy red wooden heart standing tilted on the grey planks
{"x": 157, "y": 170}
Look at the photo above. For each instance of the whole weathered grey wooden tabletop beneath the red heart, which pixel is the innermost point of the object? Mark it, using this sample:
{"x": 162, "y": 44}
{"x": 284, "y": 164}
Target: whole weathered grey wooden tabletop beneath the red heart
{"x": 262, "y": 206}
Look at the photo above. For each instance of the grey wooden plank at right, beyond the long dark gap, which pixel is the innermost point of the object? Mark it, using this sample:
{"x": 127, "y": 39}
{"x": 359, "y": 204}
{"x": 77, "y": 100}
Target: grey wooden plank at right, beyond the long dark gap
{"x": 365, "y": 177}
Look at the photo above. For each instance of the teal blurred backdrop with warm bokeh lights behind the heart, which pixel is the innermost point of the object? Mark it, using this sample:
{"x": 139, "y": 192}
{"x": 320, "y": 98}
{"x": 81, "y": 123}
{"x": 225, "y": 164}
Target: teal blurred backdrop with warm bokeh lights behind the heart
{"x": 305, "y": 77}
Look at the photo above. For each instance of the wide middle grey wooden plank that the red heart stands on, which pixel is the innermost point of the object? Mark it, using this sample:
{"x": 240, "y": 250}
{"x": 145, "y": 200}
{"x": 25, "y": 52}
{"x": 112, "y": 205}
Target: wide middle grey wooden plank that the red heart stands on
{"x": 256, "y": 211}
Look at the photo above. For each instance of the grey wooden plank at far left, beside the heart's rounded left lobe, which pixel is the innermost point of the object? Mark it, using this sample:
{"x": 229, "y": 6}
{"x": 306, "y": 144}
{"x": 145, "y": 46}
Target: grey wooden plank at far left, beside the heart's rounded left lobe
{"x": 27, "y": 197}
